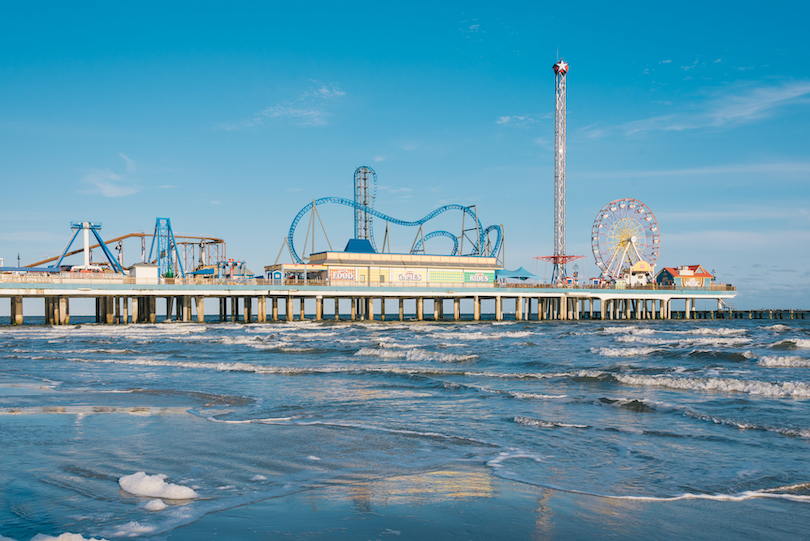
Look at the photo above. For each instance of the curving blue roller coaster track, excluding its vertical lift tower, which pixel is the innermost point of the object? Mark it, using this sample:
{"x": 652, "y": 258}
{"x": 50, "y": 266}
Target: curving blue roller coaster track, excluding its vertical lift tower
{"x": 477, "y": 249}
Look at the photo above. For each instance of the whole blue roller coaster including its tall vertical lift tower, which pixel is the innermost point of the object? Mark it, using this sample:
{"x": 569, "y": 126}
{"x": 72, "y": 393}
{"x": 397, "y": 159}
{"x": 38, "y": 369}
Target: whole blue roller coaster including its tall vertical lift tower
{"x": 363, "y": 210}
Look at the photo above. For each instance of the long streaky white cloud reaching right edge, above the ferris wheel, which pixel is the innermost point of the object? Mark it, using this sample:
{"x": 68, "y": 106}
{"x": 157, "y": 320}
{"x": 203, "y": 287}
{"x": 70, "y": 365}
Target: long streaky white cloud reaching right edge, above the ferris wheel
{"x": 724, "y": 108}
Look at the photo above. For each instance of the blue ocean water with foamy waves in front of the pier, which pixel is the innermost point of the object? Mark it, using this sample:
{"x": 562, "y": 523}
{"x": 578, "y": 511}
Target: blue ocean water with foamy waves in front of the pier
{"x": 485, "y": 430}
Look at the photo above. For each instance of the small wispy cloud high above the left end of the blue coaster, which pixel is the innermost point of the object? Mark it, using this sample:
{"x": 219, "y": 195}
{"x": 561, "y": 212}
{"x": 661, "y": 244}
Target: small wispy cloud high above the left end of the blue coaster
{"x": 308, "y": 109}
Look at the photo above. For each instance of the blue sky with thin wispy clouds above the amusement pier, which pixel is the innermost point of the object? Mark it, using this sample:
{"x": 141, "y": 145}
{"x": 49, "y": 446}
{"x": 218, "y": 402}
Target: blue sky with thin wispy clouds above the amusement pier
{"x": 228, "y": 118}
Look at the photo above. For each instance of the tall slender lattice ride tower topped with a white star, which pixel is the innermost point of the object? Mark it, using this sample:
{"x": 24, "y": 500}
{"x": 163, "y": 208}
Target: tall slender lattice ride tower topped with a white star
{"x": 559, "y": 259}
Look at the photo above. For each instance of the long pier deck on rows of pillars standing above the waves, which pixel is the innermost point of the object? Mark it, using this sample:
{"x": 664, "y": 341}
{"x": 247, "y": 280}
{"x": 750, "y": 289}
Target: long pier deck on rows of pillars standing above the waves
{"x": 124, "y": 300}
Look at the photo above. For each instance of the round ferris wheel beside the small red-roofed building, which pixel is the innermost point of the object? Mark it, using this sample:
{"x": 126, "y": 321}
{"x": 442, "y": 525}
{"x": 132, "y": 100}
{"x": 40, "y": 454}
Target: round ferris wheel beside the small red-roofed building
{"x": 624, "y": 233}
